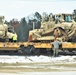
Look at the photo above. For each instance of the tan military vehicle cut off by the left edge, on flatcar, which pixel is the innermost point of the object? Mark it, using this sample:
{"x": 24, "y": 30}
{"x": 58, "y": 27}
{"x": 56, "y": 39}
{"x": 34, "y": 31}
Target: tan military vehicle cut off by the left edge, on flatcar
{"x": 6, "y": 32}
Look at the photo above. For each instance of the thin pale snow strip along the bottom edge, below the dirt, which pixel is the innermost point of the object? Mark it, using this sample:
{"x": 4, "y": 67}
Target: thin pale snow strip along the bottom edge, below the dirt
{"x": 41, "y": 73}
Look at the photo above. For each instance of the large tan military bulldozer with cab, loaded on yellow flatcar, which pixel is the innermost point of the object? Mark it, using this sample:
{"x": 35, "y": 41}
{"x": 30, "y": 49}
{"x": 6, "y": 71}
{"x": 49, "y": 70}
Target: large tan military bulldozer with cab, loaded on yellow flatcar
{"x": 60, "y": 26}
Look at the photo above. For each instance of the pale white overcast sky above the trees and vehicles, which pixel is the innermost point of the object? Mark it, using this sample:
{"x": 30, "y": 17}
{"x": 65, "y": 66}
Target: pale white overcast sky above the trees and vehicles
{"x": 22, "y": 8}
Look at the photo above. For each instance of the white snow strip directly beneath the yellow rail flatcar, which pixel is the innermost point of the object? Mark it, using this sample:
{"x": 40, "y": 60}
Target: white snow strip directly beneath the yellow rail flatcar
{"x": 34, "y": 59}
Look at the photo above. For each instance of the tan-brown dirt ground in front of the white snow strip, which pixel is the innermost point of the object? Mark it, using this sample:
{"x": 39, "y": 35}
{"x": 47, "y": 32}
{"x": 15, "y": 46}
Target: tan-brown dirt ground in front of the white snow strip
{"x": 36, "y": 67}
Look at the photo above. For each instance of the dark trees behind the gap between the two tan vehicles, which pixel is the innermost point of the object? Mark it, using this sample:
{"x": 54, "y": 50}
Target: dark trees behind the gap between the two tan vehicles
{"x": 23, "y": 26}
